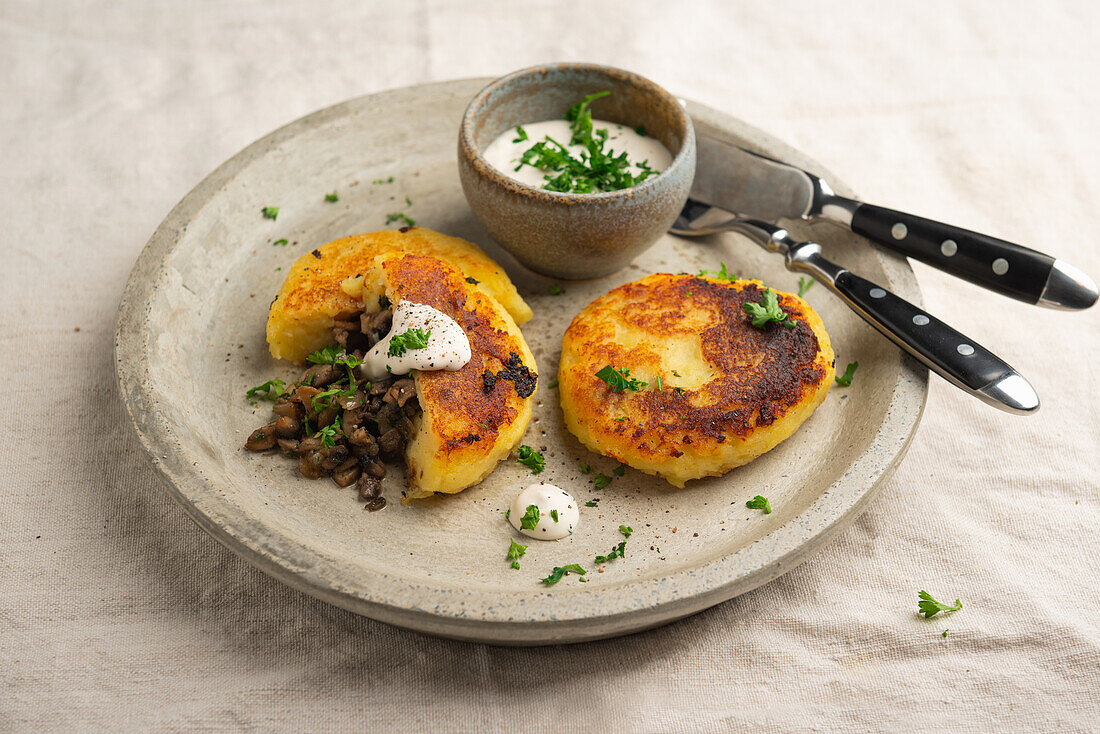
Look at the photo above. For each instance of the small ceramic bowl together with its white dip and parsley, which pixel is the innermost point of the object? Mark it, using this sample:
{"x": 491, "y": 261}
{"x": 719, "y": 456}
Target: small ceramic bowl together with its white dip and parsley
{"x": 575, "y": 228}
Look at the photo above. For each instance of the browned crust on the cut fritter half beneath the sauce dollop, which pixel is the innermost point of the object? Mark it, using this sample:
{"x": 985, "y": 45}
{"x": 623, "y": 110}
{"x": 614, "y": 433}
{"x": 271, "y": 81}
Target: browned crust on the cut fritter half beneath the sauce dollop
{"x": 467, "y": 418}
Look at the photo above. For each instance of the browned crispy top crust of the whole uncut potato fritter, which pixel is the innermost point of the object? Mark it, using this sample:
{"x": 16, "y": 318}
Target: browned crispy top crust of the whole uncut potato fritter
{"x": 758, "y": 374}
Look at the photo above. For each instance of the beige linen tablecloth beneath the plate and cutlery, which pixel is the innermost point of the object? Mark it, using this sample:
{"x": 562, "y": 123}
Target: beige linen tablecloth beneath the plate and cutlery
{"x": 118, "y": 614}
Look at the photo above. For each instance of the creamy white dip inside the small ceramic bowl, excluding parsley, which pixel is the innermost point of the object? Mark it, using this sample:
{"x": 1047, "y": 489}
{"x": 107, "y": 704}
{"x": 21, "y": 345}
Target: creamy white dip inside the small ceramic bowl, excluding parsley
{"x": 504, "y": 154}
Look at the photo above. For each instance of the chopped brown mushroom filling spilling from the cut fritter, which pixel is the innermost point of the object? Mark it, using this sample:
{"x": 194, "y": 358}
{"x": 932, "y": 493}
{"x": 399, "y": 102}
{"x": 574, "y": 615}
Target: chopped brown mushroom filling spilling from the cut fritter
{"x": 335, "y": 423}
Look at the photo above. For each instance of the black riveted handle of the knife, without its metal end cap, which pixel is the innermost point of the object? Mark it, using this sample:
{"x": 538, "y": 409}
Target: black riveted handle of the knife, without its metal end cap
{"x": 1002, "y": 267}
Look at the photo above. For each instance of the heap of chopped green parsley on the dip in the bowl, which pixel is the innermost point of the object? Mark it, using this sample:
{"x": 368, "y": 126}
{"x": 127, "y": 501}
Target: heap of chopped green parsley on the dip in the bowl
{"x": 595, "y": 169}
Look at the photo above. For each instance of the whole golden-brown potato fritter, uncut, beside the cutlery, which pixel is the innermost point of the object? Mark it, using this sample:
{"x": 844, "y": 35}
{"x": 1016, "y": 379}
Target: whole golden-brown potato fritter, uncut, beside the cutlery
{"x": 729, "y": 391}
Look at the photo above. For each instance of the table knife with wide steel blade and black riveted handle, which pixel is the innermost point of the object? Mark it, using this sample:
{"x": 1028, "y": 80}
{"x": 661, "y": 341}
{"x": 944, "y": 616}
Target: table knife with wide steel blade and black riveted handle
{"x": 752, "y": 185}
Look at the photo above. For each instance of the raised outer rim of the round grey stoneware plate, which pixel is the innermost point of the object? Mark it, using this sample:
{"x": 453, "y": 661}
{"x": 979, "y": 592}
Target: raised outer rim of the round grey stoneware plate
{"x": 665, "y": 605}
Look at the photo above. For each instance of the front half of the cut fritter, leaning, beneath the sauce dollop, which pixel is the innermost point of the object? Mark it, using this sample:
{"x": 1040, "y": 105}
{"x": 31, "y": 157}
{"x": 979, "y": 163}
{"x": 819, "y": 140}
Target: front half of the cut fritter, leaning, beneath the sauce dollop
{"x": 474, "y": 418}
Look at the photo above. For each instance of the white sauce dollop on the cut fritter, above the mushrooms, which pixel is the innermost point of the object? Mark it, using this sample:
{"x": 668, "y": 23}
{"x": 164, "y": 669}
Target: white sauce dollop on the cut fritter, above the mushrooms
{"x": 448, "y": 346}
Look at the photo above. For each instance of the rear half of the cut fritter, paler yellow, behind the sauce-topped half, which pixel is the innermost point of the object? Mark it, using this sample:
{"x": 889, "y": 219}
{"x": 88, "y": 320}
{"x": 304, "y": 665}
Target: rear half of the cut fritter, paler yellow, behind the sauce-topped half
{"x": 323, "y": 284}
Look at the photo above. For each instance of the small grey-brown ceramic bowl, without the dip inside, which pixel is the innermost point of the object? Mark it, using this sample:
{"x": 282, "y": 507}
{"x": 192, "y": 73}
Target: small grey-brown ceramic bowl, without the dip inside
{"x": 575, "y": 236}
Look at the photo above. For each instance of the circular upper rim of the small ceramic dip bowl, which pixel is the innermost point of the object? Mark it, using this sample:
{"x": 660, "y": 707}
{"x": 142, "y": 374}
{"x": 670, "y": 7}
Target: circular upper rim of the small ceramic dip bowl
{"x": 470, "y": 151}
